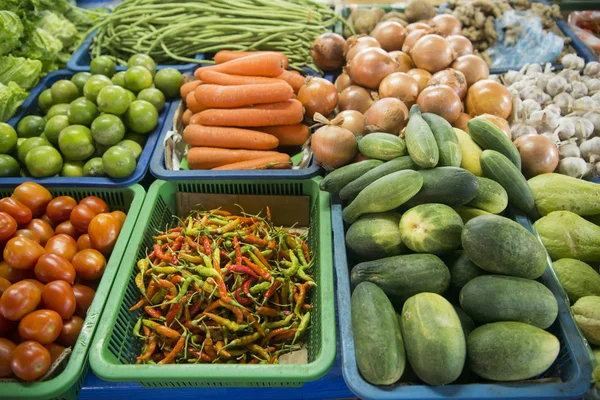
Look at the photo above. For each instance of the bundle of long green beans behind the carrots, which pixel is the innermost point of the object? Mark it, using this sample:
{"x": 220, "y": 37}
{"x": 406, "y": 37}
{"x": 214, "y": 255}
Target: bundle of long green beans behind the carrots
{"x": 171, "y": 31}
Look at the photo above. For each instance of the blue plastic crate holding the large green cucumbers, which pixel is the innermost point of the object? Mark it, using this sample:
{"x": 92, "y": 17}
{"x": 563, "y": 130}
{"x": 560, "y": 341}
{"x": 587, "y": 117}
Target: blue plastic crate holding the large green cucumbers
{"x": 572, "y": 365}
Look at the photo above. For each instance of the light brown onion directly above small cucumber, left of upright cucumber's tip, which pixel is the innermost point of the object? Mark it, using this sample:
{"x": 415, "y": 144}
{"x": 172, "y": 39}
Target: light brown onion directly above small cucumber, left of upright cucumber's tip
{"x": 388, "y": 115}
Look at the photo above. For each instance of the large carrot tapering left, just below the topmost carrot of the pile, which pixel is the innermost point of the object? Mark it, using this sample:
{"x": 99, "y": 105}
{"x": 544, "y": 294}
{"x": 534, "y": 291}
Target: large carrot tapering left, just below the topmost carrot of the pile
{"x": 262, "y": 64}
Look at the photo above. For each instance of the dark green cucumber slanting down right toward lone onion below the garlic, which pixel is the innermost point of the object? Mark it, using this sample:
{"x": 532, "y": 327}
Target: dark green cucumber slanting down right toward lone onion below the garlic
{"x": 489, "y": 137}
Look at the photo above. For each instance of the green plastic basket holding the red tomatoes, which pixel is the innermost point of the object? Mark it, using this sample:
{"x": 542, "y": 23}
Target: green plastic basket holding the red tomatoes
{"x": 67, "y": 383}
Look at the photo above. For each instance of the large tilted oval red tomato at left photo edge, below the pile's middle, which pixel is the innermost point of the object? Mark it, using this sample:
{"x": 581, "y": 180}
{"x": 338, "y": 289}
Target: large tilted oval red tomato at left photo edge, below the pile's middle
{"x": 19, "y": 300}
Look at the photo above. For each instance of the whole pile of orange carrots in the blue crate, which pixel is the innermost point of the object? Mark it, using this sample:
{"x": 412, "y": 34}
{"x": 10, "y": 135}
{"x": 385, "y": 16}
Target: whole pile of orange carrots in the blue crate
{"x": 241, "y": 110}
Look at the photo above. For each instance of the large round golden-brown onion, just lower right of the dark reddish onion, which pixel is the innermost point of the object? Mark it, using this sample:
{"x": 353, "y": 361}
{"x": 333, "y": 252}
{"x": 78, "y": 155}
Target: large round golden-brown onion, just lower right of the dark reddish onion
{"x": 370, "y": 66}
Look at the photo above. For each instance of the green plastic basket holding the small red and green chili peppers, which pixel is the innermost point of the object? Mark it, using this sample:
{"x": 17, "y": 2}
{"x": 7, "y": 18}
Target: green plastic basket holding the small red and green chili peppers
{"x": 114, "y": 348}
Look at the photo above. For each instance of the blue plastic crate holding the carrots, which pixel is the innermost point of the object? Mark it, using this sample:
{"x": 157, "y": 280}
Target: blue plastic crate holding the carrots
{"x": 159, "y": 170}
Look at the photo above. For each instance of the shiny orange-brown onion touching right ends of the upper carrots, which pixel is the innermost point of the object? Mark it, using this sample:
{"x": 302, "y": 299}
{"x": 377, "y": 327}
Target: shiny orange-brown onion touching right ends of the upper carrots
{"x": 318, "y": 95}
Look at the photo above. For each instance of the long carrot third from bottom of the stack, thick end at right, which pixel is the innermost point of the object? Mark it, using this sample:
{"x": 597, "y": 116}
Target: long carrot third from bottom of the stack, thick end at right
{"x": 285, "y": 113}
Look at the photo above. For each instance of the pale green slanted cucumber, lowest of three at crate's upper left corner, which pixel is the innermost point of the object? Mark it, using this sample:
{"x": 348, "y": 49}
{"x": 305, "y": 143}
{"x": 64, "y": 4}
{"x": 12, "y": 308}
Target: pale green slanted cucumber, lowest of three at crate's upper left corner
{"x": 384, "y": 194}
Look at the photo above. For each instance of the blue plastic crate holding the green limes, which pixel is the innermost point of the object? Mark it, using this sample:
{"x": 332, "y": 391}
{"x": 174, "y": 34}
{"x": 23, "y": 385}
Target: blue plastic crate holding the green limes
{"x": 30, "y": 107}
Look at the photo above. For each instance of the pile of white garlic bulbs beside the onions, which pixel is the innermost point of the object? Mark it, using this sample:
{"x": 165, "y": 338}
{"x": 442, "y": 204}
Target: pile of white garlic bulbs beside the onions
{"x": 564, "y": 106}
